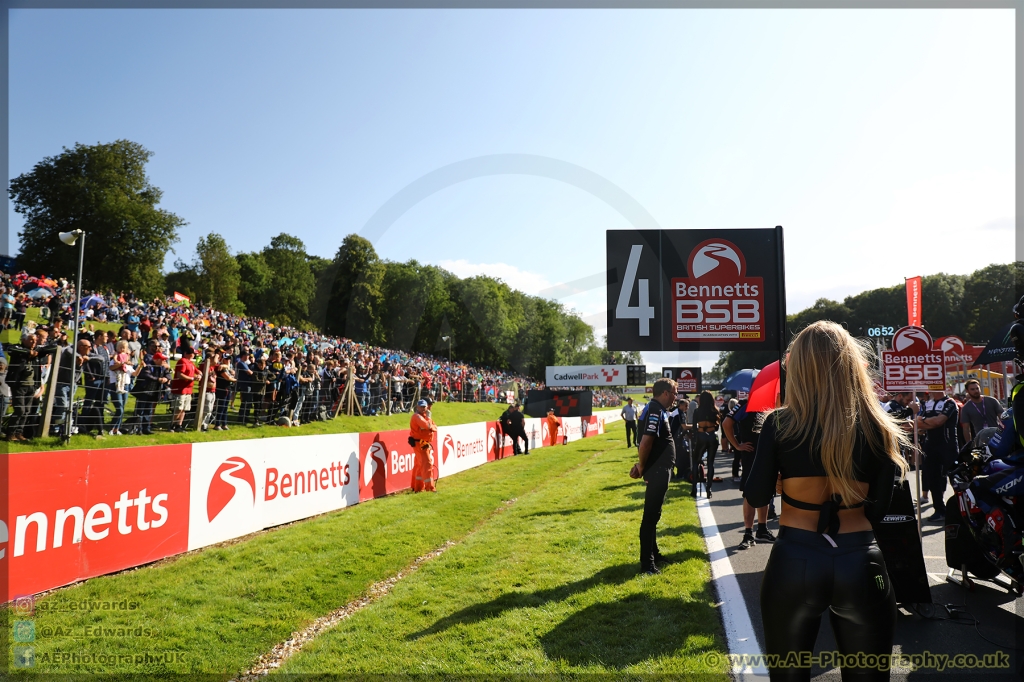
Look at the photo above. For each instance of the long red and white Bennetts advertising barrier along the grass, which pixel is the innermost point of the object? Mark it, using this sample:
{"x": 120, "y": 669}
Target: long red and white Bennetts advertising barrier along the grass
{"x": 79, "y": 515}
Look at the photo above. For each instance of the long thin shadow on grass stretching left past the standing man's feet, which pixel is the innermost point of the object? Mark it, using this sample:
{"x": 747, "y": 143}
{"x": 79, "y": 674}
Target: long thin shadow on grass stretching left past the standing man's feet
{"x": 513, "y": 601}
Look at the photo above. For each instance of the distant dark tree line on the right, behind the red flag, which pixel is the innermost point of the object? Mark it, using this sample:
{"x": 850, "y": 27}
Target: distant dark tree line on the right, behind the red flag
{"x": 972, "y": 307}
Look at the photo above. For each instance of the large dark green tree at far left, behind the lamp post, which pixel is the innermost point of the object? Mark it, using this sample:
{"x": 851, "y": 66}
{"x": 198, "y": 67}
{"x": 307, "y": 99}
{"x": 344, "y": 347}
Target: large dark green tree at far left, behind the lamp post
{"x": 103, "y": 190}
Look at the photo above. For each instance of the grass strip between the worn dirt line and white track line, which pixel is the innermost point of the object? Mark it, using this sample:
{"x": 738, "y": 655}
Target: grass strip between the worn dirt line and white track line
{"x": 550, "y": 587}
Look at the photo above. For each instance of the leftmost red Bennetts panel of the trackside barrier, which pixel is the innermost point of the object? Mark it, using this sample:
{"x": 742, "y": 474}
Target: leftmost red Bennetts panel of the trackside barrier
{"x": 78, "y": 515}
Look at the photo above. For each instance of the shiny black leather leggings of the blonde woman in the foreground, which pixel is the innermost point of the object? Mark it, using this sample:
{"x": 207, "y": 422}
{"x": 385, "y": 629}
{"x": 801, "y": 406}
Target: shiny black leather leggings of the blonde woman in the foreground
{"x": 806, "y": 576}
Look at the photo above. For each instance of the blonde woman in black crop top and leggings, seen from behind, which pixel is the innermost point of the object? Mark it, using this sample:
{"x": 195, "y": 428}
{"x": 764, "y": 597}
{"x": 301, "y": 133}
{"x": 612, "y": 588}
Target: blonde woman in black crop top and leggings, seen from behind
{"x": 838, "y": 454}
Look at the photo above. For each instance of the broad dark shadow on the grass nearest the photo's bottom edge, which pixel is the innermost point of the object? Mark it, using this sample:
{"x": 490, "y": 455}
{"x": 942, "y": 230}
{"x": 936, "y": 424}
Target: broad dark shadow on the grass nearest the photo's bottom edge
{"x": 625, "y": 633}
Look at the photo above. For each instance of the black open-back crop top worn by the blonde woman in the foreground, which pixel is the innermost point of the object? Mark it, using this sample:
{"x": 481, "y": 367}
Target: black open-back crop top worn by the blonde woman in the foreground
{"x": 773, "y": 458}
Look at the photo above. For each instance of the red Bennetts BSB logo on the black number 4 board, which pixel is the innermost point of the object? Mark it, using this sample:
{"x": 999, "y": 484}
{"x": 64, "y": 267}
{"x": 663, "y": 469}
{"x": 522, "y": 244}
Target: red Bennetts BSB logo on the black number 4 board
{"x": 718, "y": 301}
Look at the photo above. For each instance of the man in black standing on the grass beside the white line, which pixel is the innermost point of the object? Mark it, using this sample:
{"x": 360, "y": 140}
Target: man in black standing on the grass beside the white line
{"x": 657, "y": 456}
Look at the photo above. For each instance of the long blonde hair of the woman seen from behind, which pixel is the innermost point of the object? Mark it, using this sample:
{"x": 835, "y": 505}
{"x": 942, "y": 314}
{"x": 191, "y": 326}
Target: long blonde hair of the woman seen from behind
{"x": 830, "y": 395}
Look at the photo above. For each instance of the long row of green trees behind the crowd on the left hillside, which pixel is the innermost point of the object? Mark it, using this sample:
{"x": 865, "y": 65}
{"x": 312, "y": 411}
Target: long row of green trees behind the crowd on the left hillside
{"x": 104, "y": 189}
